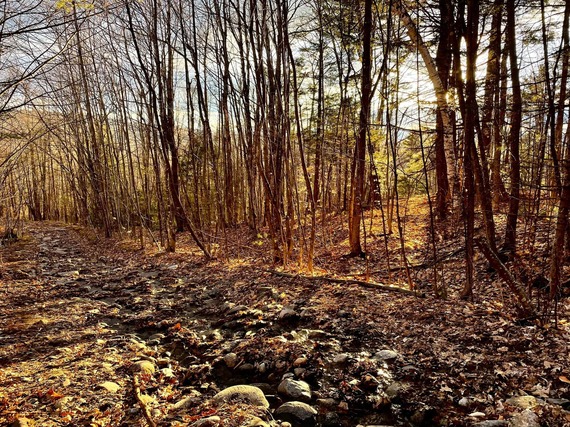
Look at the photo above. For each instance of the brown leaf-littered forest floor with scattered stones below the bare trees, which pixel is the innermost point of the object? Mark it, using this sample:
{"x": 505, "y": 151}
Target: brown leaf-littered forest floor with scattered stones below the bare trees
{"x": 94, "y": 332}
